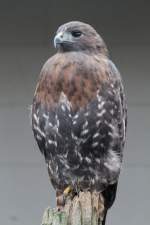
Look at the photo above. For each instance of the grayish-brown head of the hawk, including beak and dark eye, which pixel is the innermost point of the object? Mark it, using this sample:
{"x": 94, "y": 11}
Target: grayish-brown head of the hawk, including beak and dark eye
{"x": 78, "y": 36}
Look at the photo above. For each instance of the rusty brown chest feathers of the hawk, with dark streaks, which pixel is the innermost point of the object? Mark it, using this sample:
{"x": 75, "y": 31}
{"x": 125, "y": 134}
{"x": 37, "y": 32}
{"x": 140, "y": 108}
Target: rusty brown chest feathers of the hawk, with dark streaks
{"x": 78, "y": 76}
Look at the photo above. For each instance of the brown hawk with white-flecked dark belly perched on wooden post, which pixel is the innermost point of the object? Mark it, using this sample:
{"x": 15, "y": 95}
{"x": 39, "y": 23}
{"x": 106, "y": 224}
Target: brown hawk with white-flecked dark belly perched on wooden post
{"x": 79, "y": 114}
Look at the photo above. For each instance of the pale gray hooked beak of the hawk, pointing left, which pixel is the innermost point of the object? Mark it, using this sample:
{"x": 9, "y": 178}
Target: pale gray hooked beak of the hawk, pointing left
{"x": 61, "y": 38}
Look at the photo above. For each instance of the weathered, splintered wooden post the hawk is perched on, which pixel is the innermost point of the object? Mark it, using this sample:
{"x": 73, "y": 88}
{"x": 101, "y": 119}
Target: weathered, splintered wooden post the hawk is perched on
{"x": 85, "y": 209}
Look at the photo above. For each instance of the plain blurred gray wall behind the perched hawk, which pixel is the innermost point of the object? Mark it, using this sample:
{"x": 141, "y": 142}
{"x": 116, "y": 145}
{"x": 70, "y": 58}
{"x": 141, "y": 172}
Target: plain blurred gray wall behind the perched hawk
{"x": 26, "y": 32}
